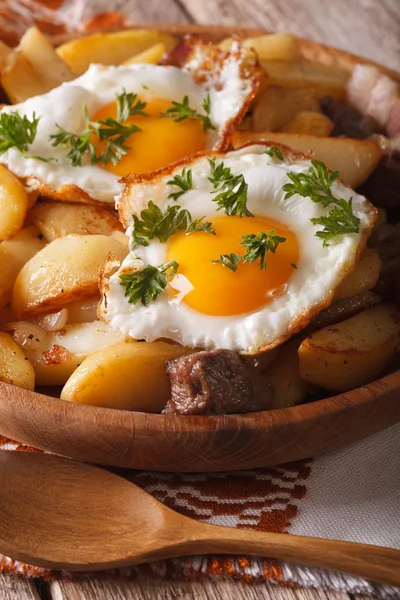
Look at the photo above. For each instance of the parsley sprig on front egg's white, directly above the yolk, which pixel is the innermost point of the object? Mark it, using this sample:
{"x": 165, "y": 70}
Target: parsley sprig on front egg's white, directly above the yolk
{"x": 232, "y": 197}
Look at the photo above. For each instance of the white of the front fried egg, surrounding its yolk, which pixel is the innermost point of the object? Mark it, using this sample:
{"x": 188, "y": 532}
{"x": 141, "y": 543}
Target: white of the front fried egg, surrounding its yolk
{"x": 312, "y": 285}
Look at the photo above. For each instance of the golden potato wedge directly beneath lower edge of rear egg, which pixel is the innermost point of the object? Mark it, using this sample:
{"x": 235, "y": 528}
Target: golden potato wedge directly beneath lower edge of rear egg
{"x": 57, "y": 219}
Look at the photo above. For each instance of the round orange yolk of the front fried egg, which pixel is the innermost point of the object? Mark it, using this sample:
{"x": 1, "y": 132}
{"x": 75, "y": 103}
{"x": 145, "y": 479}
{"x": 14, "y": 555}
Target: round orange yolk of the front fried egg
{"x": 219, "y": 291}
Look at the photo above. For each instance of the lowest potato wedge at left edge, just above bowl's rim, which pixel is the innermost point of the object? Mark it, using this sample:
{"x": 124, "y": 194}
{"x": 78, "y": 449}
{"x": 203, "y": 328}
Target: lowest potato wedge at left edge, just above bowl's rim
{"x": 15, "y": 368}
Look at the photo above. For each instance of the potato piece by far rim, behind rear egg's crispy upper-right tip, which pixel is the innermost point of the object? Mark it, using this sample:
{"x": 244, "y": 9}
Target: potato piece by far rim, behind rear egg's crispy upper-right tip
{"x": 272, "y": 46}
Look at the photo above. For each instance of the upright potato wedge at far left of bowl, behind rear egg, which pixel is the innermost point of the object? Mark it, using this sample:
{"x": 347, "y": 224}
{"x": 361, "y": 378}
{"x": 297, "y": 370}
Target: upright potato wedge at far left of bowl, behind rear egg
{"x": 40, "y": 53}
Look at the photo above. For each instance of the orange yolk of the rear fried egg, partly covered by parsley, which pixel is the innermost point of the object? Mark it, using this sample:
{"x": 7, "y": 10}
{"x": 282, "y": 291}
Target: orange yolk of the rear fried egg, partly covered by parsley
{"x": 160, "y": 142}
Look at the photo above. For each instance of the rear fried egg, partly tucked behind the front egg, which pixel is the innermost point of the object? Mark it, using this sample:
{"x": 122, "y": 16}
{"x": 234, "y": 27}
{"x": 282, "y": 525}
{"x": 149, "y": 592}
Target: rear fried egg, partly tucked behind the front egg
{"x": 227, "y": 79}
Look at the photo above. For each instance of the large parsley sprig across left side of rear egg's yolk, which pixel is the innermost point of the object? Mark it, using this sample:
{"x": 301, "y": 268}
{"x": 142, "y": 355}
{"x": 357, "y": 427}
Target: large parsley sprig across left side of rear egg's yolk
{"x": 112, "y": 131}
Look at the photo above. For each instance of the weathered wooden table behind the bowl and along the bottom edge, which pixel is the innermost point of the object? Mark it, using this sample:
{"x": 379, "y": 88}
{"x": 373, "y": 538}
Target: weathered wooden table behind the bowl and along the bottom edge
{"x": 367, "y": 27}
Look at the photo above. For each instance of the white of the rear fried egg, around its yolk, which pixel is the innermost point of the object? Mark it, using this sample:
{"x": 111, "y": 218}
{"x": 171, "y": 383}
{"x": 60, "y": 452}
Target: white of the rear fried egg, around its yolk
{"x": 228, "y": 91}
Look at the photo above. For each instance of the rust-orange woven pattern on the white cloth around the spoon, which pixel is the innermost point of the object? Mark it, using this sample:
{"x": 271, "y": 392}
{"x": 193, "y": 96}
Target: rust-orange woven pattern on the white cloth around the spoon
{"x": 260, "y": 499}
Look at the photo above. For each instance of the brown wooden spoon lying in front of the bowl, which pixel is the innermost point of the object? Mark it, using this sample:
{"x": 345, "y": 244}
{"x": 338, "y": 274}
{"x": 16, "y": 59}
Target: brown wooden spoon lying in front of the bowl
{"x": 63, "y": 514}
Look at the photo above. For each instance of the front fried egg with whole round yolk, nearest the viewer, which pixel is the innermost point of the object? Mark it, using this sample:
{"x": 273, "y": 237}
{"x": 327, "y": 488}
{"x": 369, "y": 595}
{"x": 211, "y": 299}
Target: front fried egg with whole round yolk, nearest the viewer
{"x": 251, "y": 309}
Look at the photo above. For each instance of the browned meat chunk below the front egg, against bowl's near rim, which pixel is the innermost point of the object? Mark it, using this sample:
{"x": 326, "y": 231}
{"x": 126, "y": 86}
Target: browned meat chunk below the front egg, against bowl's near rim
{"x": 215, "y": 382}
